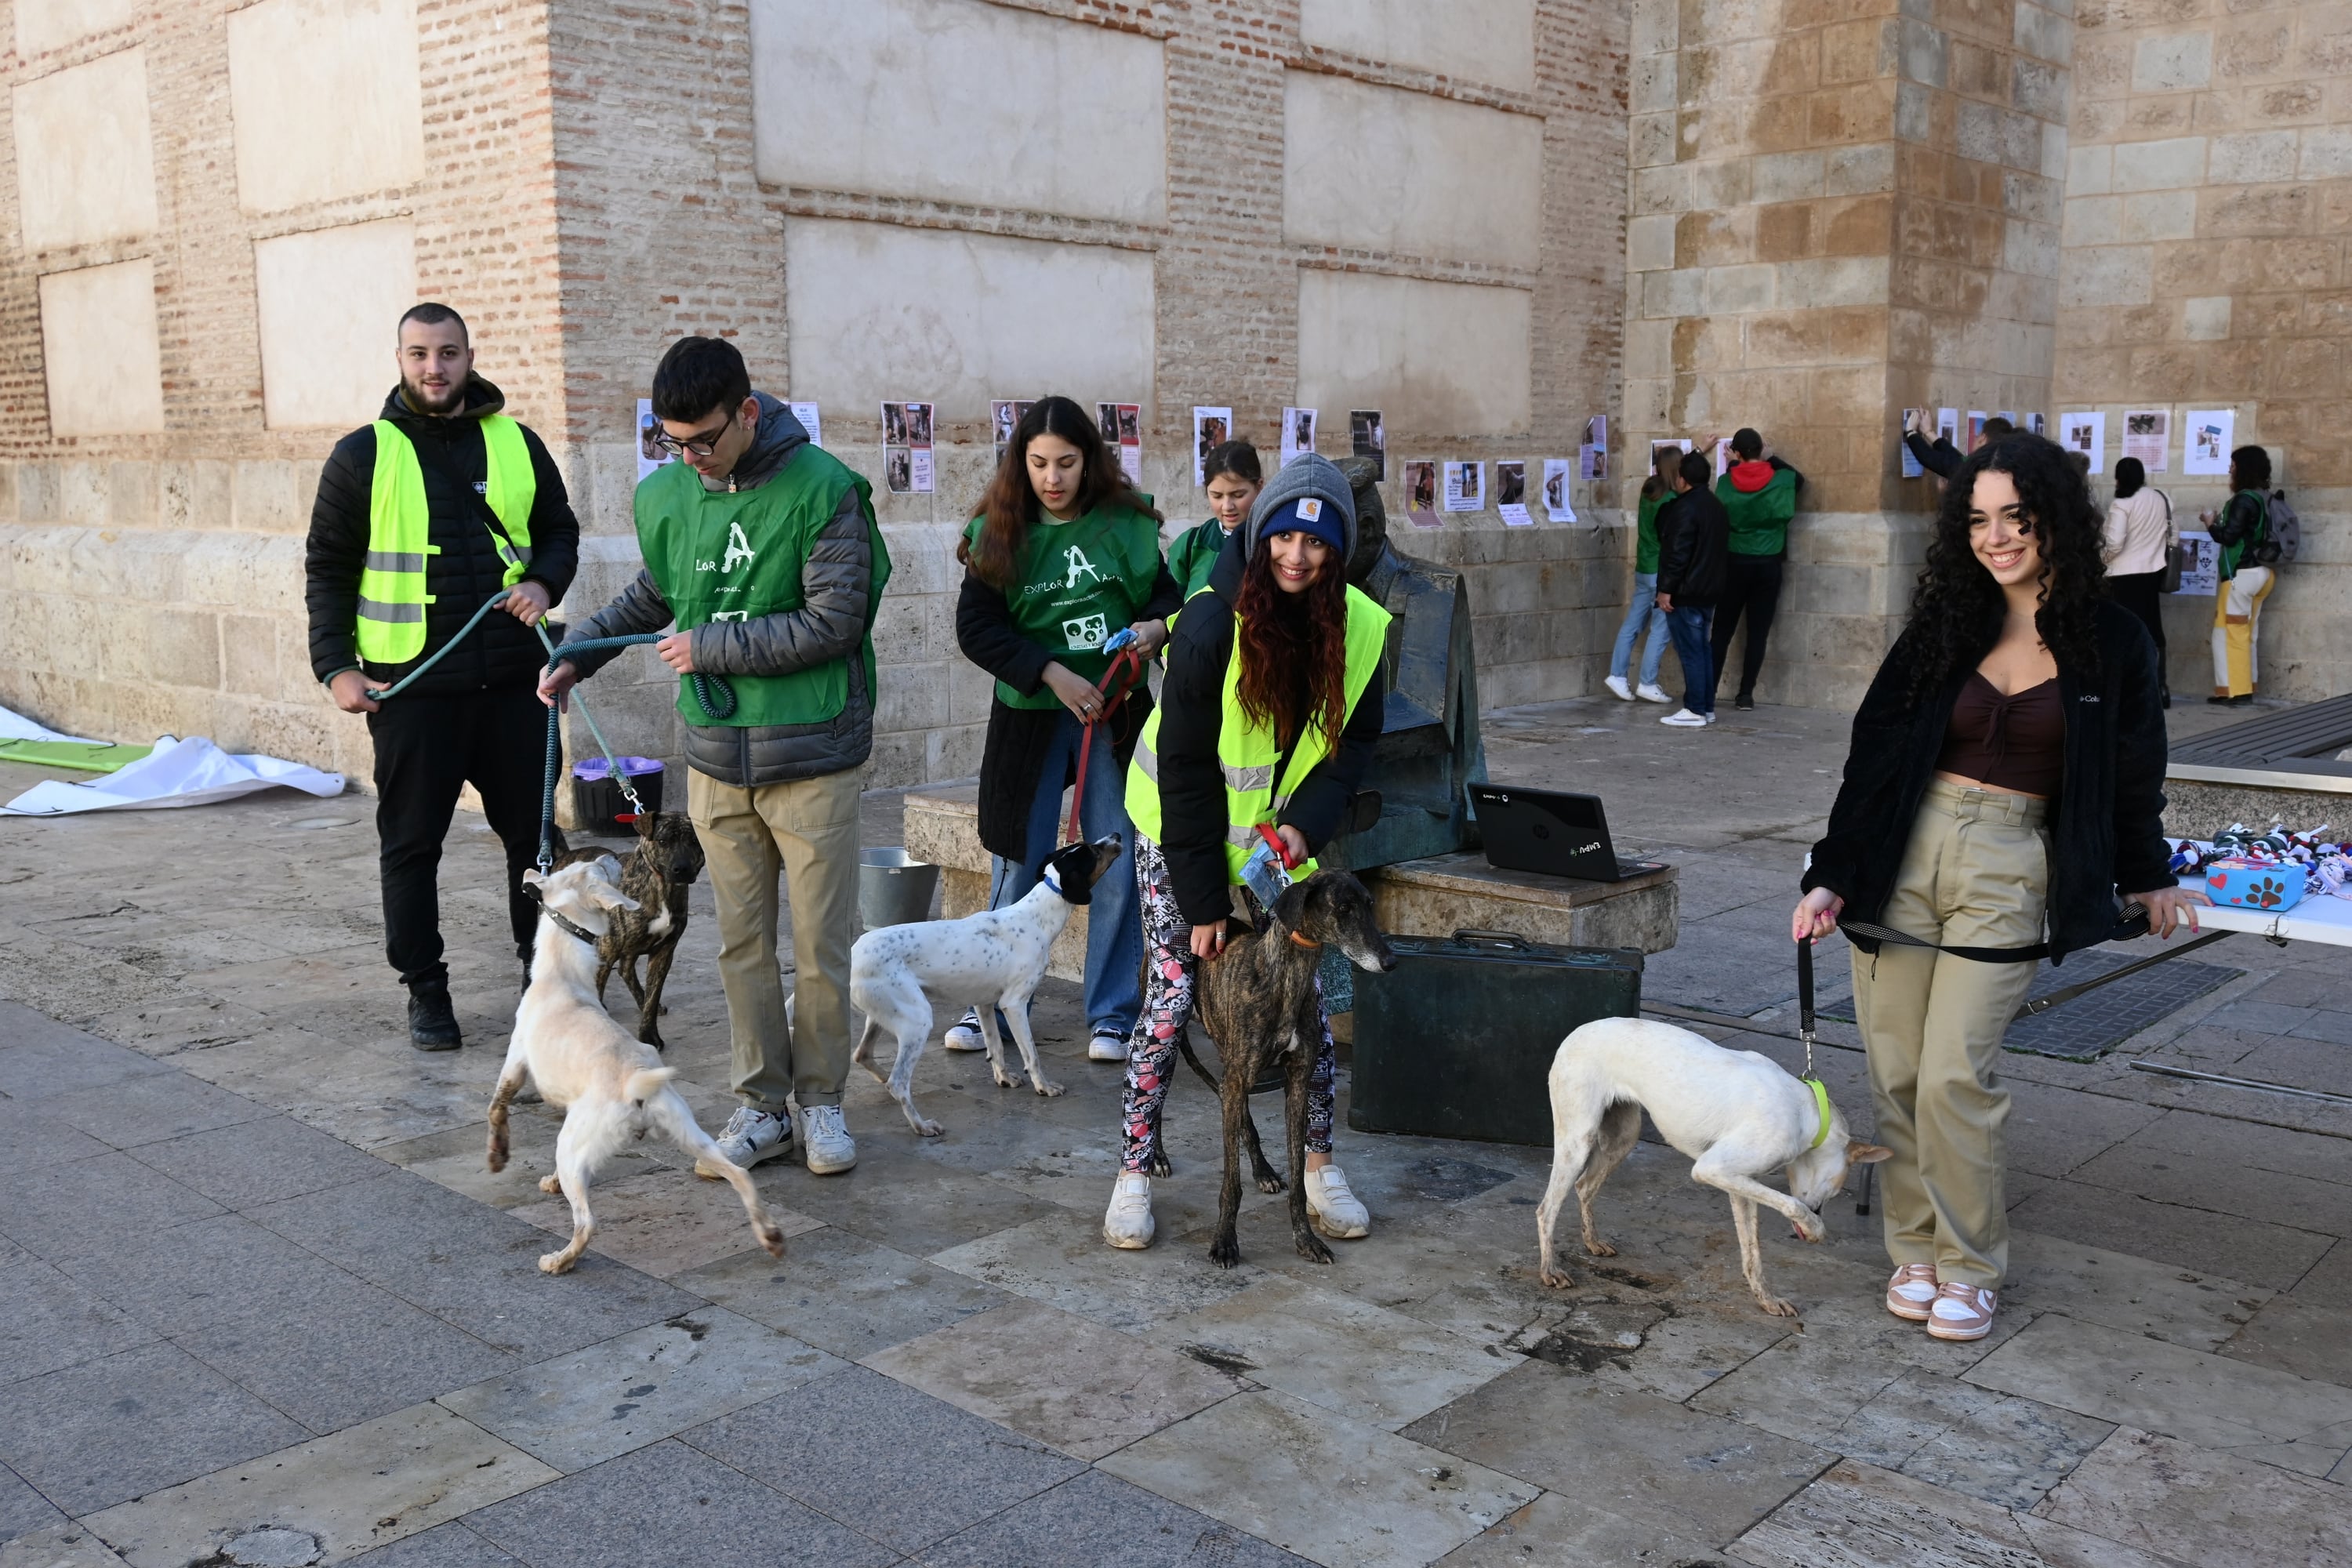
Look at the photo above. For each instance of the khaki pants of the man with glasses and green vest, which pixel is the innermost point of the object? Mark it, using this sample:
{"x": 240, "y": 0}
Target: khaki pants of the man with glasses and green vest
{"x": 810, "y": 831}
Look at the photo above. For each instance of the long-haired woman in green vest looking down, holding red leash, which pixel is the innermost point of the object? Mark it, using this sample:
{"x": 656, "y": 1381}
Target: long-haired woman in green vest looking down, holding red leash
{"x": 1062, "y": 558}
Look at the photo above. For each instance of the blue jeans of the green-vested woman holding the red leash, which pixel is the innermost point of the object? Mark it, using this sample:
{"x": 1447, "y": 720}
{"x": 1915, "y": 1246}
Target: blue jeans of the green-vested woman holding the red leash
{"x": 1114, "y": 923}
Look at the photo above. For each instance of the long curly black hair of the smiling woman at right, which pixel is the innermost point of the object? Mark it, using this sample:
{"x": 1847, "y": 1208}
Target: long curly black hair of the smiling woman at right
{"x": 1958, "y": 608}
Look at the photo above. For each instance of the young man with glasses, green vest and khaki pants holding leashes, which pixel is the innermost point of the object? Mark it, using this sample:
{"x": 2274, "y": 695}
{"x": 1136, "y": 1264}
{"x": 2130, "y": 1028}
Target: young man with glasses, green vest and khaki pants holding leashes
{"x": 766, "y": 554}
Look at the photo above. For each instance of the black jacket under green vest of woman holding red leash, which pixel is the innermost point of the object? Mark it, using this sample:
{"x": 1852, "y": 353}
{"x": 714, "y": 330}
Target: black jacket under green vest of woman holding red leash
{"x": 1013, "y": 756}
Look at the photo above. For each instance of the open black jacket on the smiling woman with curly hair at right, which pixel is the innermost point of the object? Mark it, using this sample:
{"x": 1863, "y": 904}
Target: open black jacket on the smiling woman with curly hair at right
{"x": 2106, "y": 824}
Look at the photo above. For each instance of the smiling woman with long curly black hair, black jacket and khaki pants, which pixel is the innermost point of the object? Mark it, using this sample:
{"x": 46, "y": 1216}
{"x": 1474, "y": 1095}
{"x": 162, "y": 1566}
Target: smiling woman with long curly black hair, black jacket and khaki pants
{"x": 2003, "y": 786}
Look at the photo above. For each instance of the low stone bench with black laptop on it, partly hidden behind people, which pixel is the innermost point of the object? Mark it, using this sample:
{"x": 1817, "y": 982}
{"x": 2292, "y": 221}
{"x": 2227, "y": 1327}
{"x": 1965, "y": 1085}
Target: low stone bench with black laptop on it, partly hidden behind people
{"x": 1434, "y": 897}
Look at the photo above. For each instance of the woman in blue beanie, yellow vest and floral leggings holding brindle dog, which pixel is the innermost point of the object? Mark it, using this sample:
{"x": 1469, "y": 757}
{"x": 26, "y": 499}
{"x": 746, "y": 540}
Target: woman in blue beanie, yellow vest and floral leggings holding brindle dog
{"x": 1269, "y": 716}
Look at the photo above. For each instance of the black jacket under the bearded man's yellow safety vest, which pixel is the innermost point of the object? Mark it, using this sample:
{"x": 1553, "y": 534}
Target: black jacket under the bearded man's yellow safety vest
{"x": 462, "y": 575}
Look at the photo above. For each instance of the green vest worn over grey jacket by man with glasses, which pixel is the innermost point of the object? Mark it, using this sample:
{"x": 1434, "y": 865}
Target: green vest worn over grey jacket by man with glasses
{"x": 740, "y": 556}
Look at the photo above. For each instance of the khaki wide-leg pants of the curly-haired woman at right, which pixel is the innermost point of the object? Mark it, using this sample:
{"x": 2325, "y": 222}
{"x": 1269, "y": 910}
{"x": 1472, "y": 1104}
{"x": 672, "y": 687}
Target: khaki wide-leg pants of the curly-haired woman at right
{"x": 1975, "y": 876}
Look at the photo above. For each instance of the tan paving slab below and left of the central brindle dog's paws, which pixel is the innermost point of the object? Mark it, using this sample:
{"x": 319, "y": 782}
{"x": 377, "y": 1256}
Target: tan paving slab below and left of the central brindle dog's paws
{"x": 1062, "y": 1379}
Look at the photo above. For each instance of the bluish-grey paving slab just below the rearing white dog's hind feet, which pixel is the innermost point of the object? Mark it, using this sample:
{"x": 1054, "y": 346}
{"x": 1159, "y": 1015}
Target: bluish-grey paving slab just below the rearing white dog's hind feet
{"x": 639, "y": 1388}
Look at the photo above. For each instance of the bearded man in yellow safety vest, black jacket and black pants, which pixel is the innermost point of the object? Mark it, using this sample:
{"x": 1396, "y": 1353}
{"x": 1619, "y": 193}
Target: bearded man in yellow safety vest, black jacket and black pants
{"x": 420, "y": 518}
